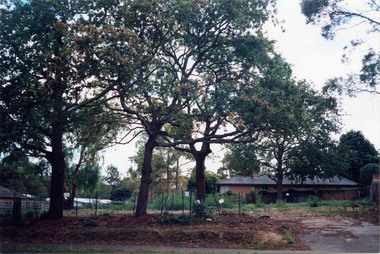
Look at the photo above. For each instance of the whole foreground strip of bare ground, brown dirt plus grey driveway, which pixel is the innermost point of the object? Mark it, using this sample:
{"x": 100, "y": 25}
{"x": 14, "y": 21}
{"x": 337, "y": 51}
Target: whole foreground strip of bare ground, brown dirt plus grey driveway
{"x": 294, "y": 229}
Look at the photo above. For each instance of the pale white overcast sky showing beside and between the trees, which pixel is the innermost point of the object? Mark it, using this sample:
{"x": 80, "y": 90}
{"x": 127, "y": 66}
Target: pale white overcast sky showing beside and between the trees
{"x": 314, "y": 59}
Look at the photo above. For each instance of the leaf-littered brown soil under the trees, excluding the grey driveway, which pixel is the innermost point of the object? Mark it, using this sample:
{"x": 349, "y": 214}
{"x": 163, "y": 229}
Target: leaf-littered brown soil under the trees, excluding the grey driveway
{"x": 259, "y": 230}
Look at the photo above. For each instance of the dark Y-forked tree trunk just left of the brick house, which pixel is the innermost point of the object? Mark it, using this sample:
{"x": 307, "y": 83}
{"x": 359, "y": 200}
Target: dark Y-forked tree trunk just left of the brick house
{"x": 200, "y": 158}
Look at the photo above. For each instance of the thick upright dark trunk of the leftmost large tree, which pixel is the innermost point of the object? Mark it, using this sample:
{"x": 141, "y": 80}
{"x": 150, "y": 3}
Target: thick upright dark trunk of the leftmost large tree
{"x": 57, "y": 161}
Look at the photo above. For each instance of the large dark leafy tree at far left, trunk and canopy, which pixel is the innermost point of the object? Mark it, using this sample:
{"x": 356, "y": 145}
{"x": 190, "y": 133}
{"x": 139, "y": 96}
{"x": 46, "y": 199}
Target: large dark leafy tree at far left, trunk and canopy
{"x": 49, "y": 69}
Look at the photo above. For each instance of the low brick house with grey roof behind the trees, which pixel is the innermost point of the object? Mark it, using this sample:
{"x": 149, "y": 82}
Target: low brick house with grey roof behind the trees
{"x": 336, "y": 188}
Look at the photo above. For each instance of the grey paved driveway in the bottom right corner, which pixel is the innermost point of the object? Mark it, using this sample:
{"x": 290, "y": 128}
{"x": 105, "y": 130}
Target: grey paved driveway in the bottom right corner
{"x": 337, "y": 236}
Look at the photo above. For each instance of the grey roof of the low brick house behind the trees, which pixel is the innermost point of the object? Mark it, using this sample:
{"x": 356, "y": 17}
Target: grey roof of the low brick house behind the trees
{"x": 265, "y": 180}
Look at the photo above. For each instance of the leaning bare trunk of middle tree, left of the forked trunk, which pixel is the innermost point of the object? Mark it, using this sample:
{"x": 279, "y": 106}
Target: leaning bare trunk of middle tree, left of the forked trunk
{"x": 146, "y": 180}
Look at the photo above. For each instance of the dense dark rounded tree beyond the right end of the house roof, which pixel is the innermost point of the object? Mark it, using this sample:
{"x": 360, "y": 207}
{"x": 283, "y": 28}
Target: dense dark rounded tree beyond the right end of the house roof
{"x": 358, "y": 152}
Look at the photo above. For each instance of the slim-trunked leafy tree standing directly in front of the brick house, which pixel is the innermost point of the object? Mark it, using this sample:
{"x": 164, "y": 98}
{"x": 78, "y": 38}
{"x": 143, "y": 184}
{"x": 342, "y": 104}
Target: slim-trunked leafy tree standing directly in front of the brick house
{"x": 299, "y": 116}
